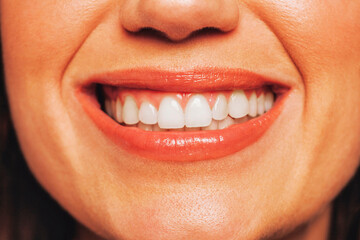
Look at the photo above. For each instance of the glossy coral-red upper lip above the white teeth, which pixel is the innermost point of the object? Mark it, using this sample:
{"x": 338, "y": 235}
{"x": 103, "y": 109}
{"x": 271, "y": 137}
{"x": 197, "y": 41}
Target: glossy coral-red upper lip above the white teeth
{"x": 197, "y": 80}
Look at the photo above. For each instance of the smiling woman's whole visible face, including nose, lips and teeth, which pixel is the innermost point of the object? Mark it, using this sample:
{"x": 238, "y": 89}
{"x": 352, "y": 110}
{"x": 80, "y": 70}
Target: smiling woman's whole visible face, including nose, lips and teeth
{"x": 261, "y": 177}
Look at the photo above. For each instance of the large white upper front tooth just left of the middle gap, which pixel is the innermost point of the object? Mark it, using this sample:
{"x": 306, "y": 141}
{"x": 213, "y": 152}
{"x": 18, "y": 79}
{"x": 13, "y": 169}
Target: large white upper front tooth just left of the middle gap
{"x": 170, "y": 114}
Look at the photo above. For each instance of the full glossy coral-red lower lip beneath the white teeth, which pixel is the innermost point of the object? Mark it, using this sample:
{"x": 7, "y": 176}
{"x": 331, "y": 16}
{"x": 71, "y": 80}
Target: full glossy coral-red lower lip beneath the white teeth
{"x": 181, "y": 146}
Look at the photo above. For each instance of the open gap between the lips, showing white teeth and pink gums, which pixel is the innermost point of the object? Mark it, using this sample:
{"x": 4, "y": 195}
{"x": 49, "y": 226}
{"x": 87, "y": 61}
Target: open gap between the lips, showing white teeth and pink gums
{"x": 170, "y": 111}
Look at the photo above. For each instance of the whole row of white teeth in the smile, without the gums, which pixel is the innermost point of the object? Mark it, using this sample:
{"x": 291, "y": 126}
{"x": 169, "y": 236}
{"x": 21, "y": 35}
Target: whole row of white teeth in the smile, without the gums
{"x": 198, "y": 113}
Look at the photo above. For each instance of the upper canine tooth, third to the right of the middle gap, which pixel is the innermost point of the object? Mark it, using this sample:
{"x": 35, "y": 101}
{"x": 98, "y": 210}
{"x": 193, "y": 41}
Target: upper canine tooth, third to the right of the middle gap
{"x": 238, "y": 104}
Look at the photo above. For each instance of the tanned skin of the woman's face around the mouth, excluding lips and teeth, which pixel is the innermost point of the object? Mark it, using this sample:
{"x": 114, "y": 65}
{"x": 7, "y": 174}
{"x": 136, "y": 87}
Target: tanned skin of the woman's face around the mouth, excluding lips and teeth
{"x": 285, "y": 180}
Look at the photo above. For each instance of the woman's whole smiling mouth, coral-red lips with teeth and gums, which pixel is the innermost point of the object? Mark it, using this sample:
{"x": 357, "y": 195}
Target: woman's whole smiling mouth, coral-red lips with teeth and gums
{"x": 182, "y": 116}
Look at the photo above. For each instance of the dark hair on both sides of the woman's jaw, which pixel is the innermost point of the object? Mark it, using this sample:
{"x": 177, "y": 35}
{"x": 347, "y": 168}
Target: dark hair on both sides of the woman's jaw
{"x": 27, "y": 212}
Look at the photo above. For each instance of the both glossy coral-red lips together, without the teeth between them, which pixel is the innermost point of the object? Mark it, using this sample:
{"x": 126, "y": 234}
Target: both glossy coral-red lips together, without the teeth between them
{"x": 182, "y": 146}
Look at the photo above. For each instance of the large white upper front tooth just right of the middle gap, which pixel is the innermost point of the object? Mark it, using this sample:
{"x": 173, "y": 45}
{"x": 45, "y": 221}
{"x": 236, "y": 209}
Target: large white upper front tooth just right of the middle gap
{"x": 197, "y": 112}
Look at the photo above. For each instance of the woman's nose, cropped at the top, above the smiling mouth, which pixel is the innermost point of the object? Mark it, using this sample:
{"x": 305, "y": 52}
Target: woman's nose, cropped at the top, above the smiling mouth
{"x": 177, "y": 19}
